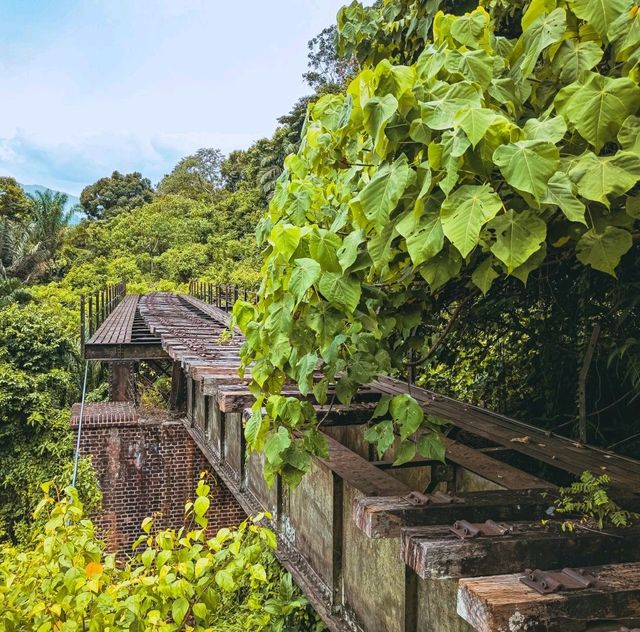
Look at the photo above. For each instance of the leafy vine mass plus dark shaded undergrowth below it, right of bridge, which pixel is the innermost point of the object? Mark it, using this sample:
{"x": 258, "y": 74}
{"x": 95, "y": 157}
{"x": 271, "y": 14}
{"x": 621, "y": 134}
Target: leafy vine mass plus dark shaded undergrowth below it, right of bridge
{"x": 466, "y": 212}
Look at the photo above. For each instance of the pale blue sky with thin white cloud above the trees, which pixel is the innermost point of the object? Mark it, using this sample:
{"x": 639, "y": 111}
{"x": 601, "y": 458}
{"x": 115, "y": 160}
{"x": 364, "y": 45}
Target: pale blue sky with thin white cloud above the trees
{"x": 91, "y": 86}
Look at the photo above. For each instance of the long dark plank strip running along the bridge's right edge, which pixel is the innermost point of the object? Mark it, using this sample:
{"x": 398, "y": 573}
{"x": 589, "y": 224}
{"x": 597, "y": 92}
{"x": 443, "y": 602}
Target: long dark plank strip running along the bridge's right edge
{"x": 539, "y": 444}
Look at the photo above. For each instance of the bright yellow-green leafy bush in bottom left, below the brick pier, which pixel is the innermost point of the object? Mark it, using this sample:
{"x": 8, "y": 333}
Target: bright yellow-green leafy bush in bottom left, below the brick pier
{"x": 182, "y": 579}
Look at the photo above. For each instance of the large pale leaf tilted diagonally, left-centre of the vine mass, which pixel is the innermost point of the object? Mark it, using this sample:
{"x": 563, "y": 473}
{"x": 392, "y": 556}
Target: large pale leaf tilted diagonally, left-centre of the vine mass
{"x": 382, "y": 194}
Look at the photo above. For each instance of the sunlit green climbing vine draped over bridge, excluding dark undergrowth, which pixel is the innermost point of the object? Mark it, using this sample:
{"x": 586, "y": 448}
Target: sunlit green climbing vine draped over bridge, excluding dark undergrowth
{"x": 468, "y": 149}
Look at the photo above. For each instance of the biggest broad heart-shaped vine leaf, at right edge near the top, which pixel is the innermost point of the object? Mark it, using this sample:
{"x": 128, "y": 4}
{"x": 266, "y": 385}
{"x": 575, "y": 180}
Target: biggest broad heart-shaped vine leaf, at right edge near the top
{"x": 599, "y": 107}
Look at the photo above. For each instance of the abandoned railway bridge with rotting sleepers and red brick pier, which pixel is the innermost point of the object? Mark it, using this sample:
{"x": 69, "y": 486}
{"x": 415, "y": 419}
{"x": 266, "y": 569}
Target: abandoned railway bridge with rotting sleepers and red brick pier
{"x": 422, "y": 547}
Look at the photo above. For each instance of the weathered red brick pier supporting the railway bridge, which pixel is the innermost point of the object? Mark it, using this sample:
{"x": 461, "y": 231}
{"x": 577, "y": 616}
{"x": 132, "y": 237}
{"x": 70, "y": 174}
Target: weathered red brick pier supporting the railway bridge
{"x": 146, "y": 465}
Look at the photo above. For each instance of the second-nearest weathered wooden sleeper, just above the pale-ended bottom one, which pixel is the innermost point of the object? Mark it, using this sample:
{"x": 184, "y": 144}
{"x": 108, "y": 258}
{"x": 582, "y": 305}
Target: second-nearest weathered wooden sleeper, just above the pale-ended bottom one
{"x": 438, "y": 553}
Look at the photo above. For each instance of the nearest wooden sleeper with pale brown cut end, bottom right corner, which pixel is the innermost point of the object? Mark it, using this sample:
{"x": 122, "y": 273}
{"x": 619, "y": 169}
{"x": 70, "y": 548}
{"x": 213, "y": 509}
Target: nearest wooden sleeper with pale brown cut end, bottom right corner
{"x": 503, "y": 602}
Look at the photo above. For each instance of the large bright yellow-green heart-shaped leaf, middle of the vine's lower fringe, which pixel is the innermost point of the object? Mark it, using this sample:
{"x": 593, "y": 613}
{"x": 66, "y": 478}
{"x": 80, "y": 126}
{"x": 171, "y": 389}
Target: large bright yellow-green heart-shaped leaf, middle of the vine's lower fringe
{"x": 465, "y": 212}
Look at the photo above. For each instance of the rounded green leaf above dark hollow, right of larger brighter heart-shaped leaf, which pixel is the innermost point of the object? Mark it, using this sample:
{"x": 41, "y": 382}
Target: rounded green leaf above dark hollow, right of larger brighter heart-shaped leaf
{"x": 518, "y": 236}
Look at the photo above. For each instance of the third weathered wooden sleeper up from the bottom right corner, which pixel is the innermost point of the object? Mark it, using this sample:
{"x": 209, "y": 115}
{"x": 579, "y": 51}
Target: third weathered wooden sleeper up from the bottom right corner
{"x": 385, "y": 517}
